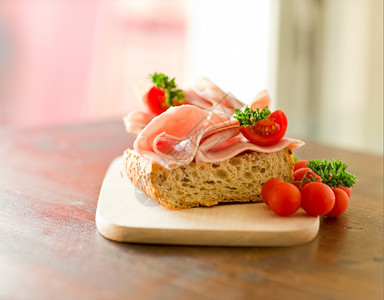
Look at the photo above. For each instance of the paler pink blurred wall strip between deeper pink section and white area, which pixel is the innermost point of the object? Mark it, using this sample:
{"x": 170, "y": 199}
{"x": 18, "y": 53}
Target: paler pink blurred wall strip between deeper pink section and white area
{"x": 134, "y": 39}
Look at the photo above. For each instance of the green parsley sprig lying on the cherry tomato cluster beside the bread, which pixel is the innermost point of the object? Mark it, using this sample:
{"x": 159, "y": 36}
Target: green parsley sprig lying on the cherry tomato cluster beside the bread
{"x": 332, "y": 173}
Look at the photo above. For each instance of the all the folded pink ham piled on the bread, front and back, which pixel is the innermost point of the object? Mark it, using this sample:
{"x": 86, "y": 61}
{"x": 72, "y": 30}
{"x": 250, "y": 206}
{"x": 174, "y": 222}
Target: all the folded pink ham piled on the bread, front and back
{"x": 203, "y": 129}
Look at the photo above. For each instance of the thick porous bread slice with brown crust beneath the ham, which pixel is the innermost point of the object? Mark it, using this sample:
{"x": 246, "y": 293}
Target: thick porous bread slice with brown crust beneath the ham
{"x": 238, "y": 179}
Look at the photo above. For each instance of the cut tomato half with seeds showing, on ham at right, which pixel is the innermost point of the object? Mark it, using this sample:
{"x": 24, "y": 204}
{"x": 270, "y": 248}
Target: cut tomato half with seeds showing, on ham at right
{"x": 268, "y": 131}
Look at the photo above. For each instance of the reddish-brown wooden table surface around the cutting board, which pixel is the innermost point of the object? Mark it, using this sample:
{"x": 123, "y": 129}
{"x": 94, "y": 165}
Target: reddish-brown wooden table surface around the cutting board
{"x": 50, "y": 248}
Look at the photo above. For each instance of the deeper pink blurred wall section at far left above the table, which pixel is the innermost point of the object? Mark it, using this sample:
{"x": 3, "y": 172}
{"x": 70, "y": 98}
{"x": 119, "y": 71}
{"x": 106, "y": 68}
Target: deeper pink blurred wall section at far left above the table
{"x": 51, "y": 43}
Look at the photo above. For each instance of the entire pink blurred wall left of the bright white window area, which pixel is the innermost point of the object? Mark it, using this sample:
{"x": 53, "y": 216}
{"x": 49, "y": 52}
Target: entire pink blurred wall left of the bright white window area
{"x": 75, "y": 61}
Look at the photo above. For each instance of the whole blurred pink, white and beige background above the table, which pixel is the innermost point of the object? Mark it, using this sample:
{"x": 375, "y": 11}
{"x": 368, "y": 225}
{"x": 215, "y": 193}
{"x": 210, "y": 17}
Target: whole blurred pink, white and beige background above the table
{"x": 65, "y": 61}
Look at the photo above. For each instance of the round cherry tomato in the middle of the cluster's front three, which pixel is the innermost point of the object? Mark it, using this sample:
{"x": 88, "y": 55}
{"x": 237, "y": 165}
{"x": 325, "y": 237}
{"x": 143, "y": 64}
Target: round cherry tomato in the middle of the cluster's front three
{"x": 317, "y": 199}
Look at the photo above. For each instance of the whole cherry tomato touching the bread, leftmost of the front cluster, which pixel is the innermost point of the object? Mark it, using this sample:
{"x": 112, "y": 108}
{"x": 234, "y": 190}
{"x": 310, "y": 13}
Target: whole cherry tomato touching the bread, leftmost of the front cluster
{"x": 284, "y": 199}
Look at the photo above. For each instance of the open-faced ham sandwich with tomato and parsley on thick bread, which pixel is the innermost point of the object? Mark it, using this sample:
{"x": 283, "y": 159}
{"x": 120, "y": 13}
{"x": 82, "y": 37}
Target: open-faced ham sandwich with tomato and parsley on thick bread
{"x": 203, "y": 147}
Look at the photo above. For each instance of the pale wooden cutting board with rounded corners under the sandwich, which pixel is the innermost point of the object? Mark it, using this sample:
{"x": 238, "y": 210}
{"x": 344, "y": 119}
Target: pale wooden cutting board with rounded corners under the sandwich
{"x": 125, "y": 214}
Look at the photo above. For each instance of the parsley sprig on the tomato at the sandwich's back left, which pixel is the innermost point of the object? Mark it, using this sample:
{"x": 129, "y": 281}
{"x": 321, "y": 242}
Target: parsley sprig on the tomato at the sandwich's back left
{"x": 169, "y": 86}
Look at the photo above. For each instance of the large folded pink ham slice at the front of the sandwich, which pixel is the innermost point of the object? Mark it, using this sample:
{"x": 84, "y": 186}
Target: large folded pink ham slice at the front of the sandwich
{"x": 187, "y": 133}
